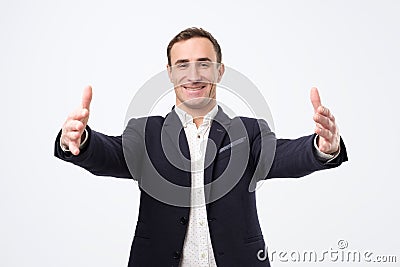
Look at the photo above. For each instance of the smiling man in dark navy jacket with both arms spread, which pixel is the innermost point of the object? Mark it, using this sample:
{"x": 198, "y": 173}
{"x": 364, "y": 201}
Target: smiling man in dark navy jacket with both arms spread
{"x": 187, "y": 215}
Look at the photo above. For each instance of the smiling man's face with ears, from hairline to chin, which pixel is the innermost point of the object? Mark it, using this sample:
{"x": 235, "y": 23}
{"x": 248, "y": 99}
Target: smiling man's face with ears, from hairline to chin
{"x": 194, "y": 72}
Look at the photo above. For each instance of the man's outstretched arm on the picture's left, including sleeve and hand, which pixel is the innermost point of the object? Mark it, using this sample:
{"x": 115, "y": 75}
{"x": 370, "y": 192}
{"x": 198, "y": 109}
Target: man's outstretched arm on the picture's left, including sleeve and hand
{"x": 98, "y": 153}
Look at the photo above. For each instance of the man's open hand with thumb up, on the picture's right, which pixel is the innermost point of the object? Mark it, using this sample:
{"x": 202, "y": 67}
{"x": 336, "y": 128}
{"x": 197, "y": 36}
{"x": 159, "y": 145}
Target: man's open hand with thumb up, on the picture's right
{"x": 326, "y": 128}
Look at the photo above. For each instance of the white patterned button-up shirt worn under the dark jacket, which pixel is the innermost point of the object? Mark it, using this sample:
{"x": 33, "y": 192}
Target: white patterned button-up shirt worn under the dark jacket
{"x": 197, "y": 247}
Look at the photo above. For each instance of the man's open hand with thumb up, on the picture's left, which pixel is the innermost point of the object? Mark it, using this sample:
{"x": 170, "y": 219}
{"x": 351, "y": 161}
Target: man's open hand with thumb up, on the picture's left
{"x": 74, "y": 126}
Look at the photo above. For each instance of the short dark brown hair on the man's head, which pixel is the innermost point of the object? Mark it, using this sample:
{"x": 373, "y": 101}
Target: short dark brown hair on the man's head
{"x": 192, "y": 33}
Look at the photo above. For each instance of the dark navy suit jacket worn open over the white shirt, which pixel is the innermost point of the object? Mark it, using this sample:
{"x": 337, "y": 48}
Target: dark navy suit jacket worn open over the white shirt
{"x": 154, "y": 147}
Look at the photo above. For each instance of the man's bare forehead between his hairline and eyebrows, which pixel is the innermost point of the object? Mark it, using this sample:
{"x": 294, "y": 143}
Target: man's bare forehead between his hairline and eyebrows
{"x": 193, "y": 49}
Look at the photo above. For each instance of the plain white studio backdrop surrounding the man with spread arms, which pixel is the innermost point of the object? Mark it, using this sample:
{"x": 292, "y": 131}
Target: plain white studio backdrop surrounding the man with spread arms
{"x": 56, "y": 214}
